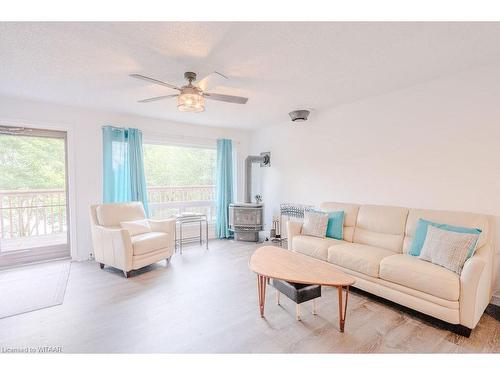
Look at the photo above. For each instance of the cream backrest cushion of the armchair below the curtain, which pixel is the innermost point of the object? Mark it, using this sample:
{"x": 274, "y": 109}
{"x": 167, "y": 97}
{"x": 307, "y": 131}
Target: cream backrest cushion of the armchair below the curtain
{"x": 111, "y": 214}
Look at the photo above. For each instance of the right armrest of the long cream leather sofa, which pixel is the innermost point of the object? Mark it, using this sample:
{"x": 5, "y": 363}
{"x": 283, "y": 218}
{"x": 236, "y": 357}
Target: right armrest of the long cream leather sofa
{"x": 475, "y": 286}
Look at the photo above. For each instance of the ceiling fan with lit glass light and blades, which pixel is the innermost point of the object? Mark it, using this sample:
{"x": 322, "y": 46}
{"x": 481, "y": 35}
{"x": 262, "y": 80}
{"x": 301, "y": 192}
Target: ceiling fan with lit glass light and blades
{"x": 191, "y": 98}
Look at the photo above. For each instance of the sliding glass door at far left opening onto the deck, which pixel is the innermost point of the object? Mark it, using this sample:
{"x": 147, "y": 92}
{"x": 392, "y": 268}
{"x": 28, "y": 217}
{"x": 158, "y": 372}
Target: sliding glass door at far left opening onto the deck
{"x": 33, "y": 196}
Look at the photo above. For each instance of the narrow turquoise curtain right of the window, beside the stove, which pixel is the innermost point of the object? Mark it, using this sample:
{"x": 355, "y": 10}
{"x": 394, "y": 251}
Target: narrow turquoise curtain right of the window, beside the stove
{"x": 224, "y": 188}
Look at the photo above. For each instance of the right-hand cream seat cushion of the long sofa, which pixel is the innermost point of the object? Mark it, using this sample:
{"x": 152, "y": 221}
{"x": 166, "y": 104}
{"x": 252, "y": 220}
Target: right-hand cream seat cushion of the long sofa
{"x": 417, "y": 274}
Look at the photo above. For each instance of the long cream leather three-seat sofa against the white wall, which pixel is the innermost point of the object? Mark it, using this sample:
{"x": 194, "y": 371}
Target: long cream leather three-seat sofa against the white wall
{"x": 374, "y": 249}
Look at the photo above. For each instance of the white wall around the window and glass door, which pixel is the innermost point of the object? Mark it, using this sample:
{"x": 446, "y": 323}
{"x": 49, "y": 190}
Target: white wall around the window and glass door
{"x": 85, "y": 149}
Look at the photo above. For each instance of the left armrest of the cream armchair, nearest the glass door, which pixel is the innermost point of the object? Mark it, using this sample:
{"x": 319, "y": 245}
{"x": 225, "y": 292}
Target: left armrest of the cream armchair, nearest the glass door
{"x": 112, "y": 247}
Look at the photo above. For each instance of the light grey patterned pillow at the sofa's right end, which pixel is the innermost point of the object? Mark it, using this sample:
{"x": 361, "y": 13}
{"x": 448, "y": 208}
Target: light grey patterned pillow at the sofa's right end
{"x": 446, "y": 248}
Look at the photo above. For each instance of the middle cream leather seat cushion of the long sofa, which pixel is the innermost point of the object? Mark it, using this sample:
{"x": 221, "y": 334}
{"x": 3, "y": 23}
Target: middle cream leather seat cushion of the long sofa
{"x": 357, "y": 257}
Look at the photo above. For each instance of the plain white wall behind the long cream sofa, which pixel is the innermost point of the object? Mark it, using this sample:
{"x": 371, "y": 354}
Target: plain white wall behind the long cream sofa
{"x": 434, "y": 145}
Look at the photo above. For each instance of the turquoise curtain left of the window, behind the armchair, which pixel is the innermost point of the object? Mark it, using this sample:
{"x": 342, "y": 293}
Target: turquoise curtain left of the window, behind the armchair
{"x": 123, "y": 166}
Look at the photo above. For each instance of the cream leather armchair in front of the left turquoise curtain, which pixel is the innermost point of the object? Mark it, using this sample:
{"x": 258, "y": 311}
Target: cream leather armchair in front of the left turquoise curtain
{"x": 115, "y": 247}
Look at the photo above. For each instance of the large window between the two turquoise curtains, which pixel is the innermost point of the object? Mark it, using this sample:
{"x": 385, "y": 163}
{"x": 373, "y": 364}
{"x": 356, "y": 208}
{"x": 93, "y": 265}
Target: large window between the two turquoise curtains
{"x": 180, "y": 179}
